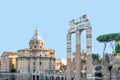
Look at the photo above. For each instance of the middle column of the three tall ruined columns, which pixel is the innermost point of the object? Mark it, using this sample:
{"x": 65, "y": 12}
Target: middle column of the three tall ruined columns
{"x": 78, "y": 52}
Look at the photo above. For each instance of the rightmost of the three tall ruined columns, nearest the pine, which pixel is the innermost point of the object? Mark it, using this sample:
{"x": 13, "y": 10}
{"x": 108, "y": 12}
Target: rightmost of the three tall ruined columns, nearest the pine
{"x": 89, "y": 52}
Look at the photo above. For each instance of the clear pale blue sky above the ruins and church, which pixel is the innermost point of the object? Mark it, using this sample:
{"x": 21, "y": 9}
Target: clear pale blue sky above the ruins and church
{"x": 19, "y": 19}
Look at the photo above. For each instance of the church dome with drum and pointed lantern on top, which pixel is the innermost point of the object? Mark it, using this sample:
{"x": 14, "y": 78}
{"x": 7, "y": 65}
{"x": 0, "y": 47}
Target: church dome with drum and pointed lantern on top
{"x": 36, "y": 42}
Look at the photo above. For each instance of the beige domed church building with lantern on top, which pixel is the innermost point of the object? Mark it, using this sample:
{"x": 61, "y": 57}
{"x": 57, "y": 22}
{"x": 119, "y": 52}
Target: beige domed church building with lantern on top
{"x": 35, "y": 58}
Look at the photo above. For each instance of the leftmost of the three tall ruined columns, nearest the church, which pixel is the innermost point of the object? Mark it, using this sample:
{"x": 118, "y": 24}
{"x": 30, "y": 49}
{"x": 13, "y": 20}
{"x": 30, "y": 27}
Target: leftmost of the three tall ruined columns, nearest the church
{"x": 69, "y": 70}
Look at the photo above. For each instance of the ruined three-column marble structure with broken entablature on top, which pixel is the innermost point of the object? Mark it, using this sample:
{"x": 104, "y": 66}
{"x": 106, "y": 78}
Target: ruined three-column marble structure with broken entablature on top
{"x": 77, "y": 26}
